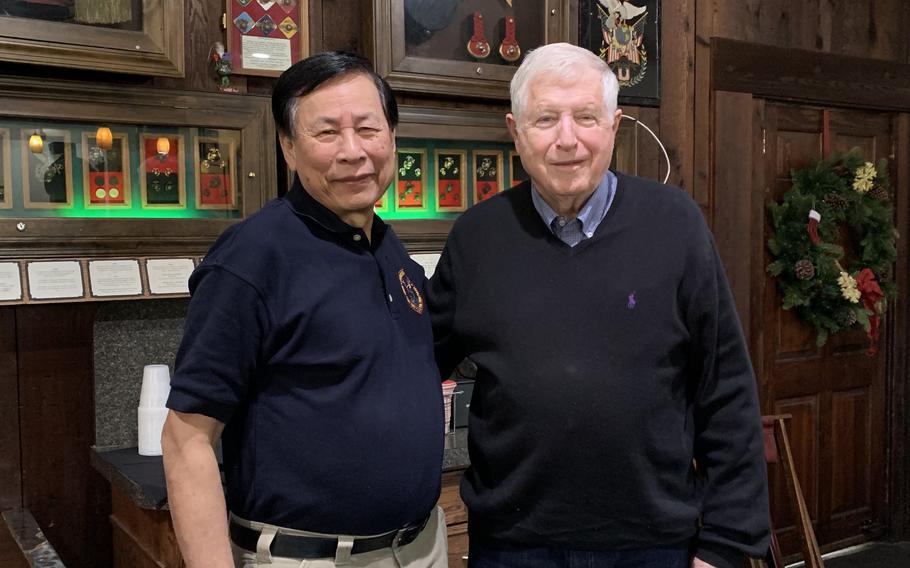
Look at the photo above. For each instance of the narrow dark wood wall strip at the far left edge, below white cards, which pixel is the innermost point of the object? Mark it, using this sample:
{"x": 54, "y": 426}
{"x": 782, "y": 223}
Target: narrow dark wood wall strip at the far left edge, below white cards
{"x": 10, "y": 458}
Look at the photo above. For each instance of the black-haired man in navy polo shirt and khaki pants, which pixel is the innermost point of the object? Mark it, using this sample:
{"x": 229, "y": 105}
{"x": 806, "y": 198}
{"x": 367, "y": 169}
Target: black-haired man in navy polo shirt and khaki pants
{"x": 308, "y": 351}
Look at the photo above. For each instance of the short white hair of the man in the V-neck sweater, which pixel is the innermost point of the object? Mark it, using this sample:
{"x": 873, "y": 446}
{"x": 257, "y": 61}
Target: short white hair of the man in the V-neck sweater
{"x": 562, "y": 59}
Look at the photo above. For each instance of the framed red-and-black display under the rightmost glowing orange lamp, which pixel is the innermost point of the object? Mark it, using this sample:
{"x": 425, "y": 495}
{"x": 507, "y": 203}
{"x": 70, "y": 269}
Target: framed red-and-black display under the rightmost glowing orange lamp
{"x": 162, "y": 171}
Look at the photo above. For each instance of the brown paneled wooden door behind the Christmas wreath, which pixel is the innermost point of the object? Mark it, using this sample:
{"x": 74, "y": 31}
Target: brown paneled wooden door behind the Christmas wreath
{"x": 836, "y": 394}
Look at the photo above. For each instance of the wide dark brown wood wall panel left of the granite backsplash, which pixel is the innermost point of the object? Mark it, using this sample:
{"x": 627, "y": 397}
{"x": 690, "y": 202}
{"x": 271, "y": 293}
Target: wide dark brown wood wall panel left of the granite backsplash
{"x": 68, "y": 498}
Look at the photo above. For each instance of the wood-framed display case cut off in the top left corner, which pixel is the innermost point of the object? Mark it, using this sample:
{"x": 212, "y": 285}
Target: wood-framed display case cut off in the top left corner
{"x": 142, "y": 37}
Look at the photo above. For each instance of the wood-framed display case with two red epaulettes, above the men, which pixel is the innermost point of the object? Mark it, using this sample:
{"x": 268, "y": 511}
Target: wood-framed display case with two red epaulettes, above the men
{"x": 467, "y": 48}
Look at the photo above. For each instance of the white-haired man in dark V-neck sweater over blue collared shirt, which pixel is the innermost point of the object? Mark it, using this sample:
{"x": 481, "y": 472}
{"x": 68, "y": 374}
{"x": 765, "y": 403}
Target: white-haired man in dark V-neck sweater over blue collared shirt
{"x": 614, "y": 420}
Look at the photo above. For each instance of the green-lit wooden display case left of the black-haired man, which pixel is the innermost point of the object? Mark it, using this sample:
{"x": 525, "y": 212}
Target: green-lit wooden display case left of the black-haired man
{"x": 88, "y": 170}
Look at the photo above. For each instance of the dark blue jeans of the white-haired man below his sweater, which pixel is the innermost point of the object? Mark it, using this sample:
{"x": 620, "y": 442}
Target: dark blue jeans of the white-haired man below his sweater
{"x": 492, "y": 556}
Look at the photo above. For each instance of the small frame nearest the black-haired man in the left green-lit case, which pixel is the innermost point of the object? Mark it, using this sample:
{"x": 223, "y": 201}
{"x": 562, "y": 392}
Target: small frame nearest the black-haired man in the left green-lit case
{"x": 216, "y": 172}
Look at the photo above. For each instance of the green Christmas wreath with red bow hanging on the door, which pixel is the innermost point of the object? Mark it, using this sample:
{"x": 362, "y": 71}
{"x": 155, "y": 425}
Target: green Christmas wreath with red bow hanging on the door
{"x": 842, "y": 200}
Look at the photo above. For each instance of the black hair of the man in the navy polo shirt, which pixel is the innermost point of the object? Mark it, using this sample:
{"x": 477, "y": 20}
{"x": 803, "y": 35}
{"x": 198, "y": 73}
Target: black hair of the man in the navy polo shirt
{"x": 306, "y": 75}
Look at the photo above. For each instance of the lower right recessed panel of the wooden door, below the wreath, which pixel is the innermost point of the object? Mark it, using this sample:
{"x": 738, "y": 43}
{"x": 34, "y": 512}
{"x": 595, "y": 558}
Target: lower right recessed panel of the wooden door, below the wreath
{"x": 851, "y": 420}
